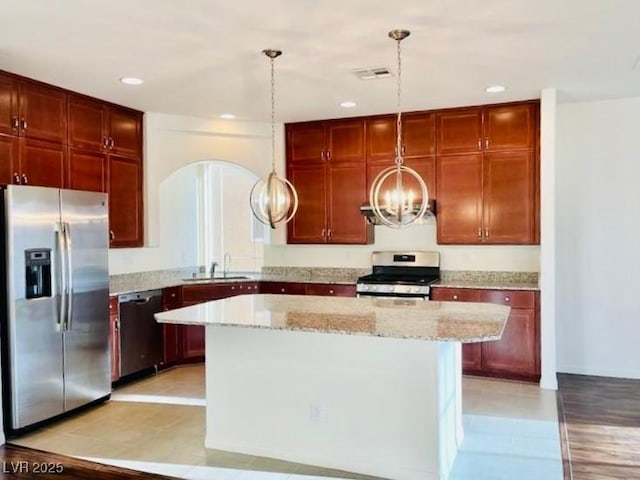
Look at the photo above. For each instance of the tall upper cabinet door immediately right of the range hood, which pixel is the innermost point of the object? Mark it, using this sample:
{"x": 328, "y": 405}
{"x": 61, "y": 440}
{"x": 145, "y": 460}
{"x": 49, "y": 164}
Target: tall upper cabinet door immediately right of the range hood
{"x": 459, "y": 208}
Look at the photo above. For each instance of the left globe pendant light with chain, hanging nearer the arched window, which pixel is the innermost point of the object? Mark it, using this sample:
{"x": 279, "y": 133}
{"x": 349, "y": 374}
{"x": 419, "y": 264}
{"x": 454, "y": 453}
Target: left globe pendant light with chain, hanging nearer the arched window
{"x": 273, "y": 200}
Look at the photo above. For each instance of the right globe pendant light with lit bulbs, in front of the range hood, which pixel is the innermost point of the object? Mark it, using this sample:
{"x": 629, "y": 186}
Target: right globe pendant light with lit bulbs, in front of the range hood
{"x": 392, "y": 203}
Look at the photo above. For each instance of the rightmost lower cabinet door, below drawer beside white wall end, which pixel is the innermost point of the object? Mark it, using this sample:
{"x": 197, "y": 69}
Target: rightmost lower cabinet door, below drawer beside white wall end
{"x": 516, "y": 352}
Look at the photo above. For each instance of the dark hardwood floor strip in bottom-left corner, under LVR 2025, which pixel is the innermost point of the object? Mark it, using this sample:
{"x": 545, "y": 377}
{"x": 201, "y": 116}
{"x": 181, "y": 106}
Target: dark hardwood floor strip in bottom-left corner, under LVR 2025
{"x": 20, "y": 462}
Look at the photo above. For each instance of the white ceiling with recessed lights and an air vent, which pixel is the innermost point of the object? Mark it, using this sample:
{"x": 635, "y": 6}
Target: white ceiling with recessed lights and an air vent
{"x": 203, "y": 57}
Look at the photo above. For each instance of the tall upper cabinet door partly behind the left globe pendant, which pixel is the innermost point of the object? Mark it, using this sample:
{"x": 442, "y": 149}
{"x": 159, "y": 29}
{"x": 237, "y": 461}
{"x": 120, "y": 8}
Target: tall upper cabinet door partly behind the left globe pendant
{"x": 309, "y": 225}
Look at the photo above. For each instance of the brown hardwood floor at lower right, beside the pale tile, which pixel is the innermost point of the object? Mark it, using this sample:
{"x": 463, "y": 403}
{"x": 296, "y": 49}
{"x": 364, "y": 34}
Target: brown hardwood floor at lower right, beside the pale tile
{"x": 600, "y": 422}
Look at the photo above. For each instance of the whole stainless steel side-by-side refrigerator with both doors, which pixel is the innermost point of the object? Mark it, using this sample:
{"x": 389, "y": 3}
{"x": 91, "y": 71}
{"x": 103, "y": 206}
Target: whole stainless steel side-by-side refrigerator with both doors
{"x": 55, "y": 318}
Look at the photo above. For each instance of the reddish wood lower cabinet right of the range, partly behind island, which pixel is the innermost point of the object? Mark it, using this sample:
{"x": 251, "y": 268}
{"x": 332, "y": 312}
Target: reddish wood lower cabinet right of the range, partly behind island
{"x": 517, "y": 354}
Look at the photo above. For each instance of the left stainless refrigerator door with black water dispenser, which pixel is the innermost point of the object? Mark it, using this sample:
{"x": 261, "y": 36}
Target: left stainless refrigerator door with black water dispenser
{"x": 34, "y": 333}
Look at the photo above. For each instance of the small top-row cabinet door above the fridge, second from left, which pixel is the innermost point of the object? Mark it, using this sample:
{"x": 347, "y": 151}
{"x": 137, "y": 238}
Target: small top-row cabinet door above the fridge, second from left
{"x": 43, "y": 112}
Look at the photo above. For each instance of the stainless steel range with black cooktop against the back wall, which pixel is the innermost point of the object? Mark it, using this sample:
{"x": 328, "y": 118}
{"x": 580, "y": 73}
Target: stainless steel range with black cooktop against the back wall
{"x": 401, "y": 274}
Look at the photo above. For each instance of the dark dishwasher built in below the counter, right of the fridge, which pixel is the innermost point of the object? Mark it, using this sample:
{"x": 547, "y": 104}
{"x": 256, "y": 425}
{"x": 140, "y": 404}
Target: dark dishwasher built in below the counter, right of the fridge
{"x": 140, "y": 334}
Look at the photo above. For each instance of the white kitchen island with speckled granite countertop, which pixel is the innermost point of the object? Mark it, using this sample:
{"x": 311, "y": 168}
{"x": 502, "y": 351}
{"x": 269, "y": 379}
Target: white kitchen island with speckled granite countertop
{"x": 365, "y": 385}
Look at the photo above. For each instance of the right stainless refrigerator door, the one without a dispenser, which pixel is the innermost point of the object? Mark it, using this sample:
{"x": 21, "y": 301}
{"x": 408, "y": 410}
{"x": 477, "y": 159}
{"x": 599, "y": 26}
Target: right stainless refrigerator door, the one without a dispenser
{"x": 87, "y": 369}
